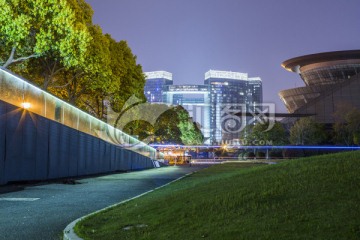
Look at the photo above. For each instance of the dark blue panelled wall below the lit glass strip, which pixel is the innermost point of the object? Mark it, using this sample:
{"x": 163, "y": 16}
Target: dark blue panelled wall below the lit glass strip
{"x": 35, "y": 148}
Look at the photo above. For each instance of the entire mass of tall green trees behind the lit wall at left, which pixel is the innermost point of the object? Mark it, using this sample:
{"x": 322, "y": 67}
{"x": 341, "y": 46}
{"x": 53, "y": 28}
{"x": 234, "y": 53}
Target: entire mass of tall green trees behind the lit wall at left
{"x": 55, "y": 44}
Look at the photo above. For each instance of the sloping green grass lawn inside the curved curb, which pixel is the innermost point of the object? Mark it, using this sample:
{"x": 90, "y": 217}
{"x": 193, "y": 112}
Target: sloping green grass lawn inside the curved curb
{"x": 309, "y": 198}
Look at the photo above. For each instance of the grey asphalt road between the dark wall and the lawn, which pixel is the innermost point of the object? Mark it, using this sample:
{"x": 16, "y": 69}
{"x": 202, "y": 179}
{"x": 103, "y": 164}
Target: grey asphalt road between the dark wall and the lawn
{"x": 43, "y": 211}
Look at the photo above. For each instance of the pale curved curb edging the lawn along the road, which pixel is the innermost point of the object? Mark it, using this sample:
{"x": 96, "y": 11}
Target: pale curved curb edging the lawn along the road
{"x": 69, "y": 233}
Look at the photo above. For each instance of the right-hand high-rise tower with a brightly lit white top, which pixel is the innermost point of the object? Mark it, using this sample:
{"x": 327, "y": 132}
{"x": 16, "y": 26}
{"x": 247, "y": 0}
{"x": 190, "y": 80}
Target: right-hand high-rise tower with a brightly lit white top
{"x": 230, "y": 93}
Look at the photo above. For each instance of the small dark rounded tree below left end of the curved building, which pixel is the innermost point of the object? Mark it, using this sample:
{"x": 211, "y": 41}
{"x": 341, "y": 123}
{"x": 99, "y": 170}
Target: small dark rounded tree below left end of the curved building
{"x": 306, "y": 131}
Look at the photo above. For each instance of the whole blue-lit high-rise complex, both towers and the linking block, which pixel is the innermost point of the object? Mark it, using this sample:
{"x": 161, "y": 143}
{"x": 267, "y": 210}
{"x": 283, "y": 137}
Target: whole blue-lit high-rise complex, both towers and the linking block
{"x": 212, "y": 105}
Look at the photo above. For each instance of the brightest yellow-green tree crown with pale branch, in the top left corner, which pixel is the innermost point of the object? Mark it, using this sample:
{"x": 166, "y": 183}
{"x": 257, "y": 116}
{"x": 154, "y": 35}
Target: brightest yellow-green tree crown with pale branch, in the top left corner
{"x": 37, "y": 28}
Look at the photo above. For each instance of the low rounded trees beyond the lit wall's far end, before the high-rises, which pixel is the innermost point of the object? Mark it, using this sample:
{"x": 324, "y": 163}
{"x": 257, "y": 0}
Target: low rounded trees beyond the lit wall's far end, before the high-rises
{"x": 157, "y": 123}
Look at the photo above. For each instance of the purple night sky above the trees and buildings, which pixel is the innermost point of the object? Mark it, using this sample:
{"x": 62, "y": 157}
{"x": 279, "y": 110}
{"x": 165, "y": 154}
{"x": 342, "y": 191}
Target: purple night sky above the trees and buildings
{"x": 190, "y": 37}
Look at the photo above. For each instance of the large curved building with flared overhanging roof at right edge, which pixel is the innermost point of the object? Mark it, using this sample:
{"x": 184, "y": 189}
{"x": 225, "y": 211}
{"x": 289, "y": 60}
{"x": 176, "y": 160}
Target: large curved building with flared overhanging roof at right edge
{"x": 330, "y": 78}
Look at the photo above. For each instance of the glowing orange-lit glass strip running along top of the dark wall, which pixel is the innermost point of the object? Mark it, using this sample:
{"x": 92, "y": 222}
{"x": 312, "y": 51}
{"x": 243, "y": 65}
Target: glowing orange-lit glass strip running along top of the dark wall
{"x": 19, "y": 92}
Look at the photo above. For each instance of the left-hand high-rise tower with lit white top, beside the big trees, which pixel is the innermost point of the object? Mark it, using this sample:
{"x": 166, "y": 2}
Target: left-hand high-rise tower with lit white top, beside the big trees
{"x": 155, "y": 82}
